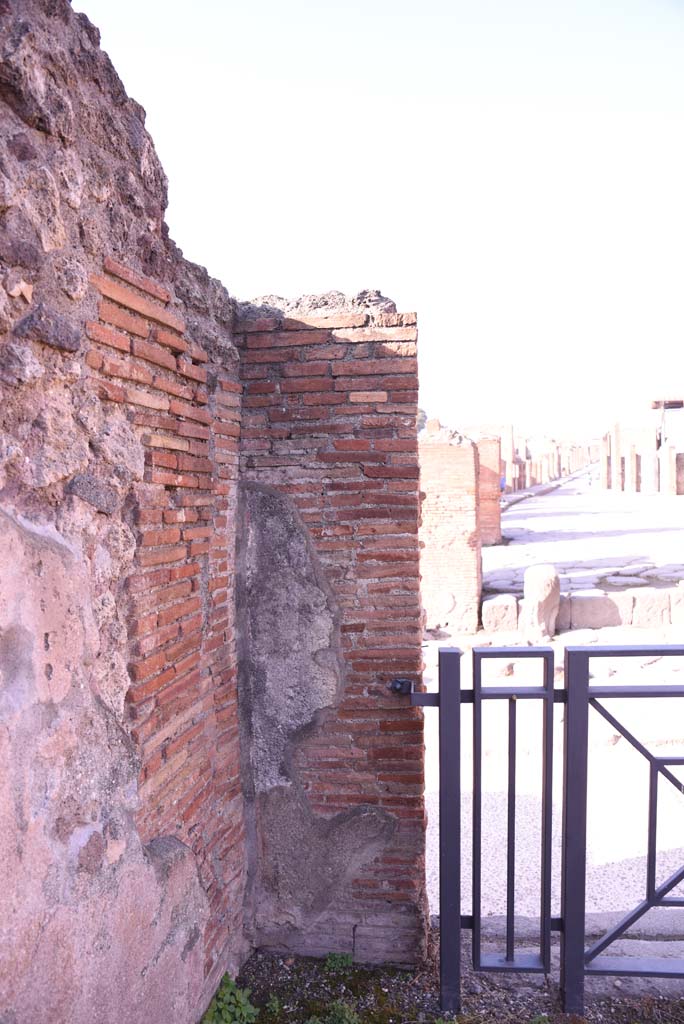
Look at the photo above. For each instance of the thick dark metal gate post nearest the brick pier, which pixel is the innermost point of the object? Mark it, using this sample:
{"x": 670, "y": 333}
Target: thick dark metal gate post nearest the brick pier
{"x": 450, "y": 829}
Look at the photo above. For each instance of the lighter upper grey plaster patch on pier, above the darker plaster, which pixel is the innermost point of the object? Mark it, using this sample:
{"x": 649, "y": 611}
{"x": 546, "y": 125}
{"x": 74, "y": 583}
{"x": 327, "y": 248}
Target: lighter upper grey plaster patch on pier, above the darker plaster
{"x": 291, "y": 657}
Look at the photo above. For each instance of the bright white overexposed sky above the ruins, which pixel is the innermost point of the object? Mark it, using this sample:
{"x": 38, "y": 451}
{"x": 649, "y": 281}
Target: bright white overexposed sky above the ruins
{"x": 515, "y": 172}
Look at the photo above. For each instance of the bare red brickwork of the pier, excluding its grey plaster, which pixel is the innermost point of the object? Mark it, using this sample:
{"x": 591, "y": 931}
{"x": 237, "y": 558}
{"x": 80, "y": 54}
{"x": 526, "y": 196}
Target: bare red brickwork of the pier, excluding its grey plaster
{"x": 329, "y": 421}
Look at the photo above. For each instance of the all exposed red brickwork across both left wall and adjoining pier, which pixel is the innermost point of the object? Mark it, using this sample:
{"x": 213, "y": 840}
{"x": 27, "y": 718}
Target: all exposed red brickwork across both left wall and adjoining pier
{"x": 329, "y": 419}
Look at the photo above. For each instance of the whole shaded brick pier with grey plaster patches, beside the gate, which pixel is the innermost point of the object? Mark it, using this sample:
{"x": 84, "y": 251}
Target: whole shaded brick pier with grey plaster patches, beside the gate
{"x": 330, "y": 614}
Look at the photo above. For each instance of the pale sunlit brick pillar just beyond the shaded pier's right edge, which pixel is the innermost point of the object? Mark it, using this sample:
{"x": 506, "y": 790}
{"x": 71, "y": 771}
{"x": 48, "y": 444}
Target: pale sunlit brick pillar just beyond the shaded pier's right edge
{"x": 451, "y": 559}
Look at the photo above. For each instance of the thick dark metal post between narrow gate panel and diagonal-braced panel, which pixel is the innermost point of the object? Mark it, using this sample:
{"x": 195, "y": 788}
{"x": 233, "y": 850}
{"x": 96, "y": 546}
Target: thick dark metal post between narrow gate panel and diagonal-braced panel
{"x": 575, "y": 830}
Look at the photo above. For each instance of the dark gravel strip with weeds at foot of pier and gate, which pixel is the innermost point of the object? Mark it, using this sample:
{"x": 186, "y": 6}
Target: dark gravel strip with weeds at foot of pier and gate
{"x": 307, "y": 988}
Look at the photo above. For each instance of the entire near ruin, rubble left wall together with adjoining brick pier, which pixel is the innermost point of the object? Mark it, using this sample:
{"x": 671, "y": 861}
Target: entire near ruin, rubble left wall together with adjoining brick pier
{"x": 127, "y": 849}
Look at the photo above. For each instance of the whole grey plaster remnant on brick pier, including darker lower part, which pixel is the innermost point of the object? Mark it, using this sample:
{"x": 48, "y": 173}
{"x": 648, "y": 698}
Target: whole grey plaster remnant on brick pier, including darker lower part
{"x": 291, "y": 671}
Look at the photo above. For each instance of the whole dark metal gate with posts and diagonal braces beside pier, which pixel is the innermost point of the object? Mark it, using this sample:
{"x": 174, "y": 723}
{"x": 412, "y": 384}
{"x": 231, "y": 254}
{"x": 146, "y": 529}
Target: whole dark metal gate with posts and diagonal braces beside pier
{"x": 579, "y": 696}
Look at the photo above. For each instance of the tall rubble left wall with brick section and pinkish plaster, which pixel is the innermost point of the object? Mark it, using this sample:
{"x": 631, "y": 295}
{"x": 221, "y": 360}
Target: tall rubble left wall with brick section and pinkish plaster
{"x": 121, "y": 838}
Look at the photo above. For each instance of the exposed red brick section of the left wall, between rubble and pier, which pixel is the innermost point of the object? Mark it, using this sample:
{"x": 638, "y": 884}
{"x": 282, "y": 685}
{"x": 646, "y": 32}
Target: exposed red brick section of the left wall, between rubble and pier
{"x": 182, "y": 706}
